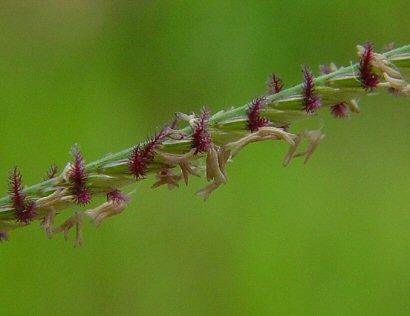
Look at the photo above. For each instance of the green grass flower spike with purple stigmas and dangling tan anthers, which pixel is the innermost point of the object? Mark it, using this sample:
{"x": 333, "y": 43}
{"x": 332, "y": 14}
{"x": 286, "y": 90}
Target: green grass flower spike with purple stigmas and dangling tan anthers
{"x": 194, "y": 145}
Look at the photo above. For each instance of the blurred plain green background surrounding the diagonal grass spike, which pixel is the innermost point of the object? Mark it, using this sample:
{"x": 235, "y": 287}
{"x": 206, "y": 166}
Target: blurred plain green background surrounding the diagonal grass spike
{"x": 328, "y": 238}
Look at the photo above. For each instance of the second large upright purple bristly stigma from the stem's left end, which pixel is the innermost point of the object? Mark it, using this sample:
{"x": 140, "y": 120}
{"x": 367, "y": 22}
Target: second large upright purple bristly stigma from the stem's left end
{"x": 78, "y": 179}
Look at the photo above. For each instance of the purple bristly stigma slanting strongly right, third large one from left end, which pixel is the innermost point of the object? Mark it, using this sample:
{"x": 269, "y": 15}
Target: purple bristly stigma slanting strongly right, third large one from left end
{"x": 141, "y": 155}
